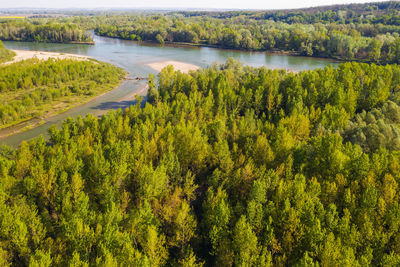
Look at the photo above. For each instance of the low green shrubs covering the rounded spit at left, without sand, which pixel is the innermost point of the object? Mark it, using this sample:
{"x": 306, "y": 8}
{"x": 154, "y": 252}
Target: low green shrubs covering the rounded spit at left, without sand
{"x": 33, "y": 88}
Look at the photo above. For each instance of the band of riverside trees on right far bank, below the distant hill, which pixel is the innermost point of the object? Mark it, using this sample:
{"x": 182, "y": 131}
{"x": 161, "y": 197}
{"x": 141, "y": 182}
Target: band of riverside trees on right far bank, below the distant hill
{"x": 365, "y": 42}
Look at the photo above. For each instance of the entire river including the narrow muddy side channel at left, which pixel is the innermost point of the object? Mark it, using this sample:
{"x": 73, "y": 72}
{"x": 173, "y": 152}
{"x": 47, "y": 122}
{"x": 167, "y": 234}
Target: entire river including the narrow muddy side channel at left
{"x": 134, "y": 57}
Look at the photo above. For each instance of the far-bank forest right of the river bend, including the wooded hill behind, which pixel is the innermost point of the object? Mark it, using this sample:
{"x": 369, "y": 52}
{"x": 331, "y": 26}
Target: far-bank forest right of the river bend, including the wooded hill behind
{"x": 338, "y": 32}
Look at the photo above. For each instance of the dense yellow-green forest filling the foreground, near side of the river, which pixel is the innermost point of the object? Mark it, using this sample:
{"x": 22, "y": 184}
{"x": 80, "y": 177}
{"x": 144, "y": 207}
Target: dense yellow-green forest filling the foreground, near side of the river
{"x": 225, "y": 166}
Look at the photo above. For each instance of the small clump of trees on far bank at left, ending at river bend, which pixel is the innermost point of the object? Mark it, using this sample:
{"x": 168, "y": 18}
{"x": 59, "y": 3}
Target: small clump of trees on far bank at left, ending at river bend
{"x": 43, "y": 31}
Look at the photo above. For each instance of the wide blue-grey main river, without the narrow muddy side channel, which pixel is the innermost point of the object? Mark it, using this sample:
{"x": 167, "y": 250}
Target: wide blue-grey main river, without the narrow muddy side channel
{"x": 132, "y": 55}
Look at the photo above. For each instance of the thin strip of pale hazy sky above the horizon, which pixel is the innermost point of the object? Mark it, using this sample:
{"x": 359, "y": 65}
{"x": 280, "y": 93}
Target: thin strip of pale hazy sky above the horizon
{"x": 225, "y": 4}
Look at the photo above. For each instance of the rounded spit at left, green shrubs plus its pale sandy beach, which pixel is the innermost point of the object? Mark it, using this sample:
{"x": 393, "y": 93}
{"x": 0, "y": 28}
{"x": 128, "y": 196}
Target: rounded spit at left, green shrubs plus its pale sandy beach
{"x": 99, "y": 78}
